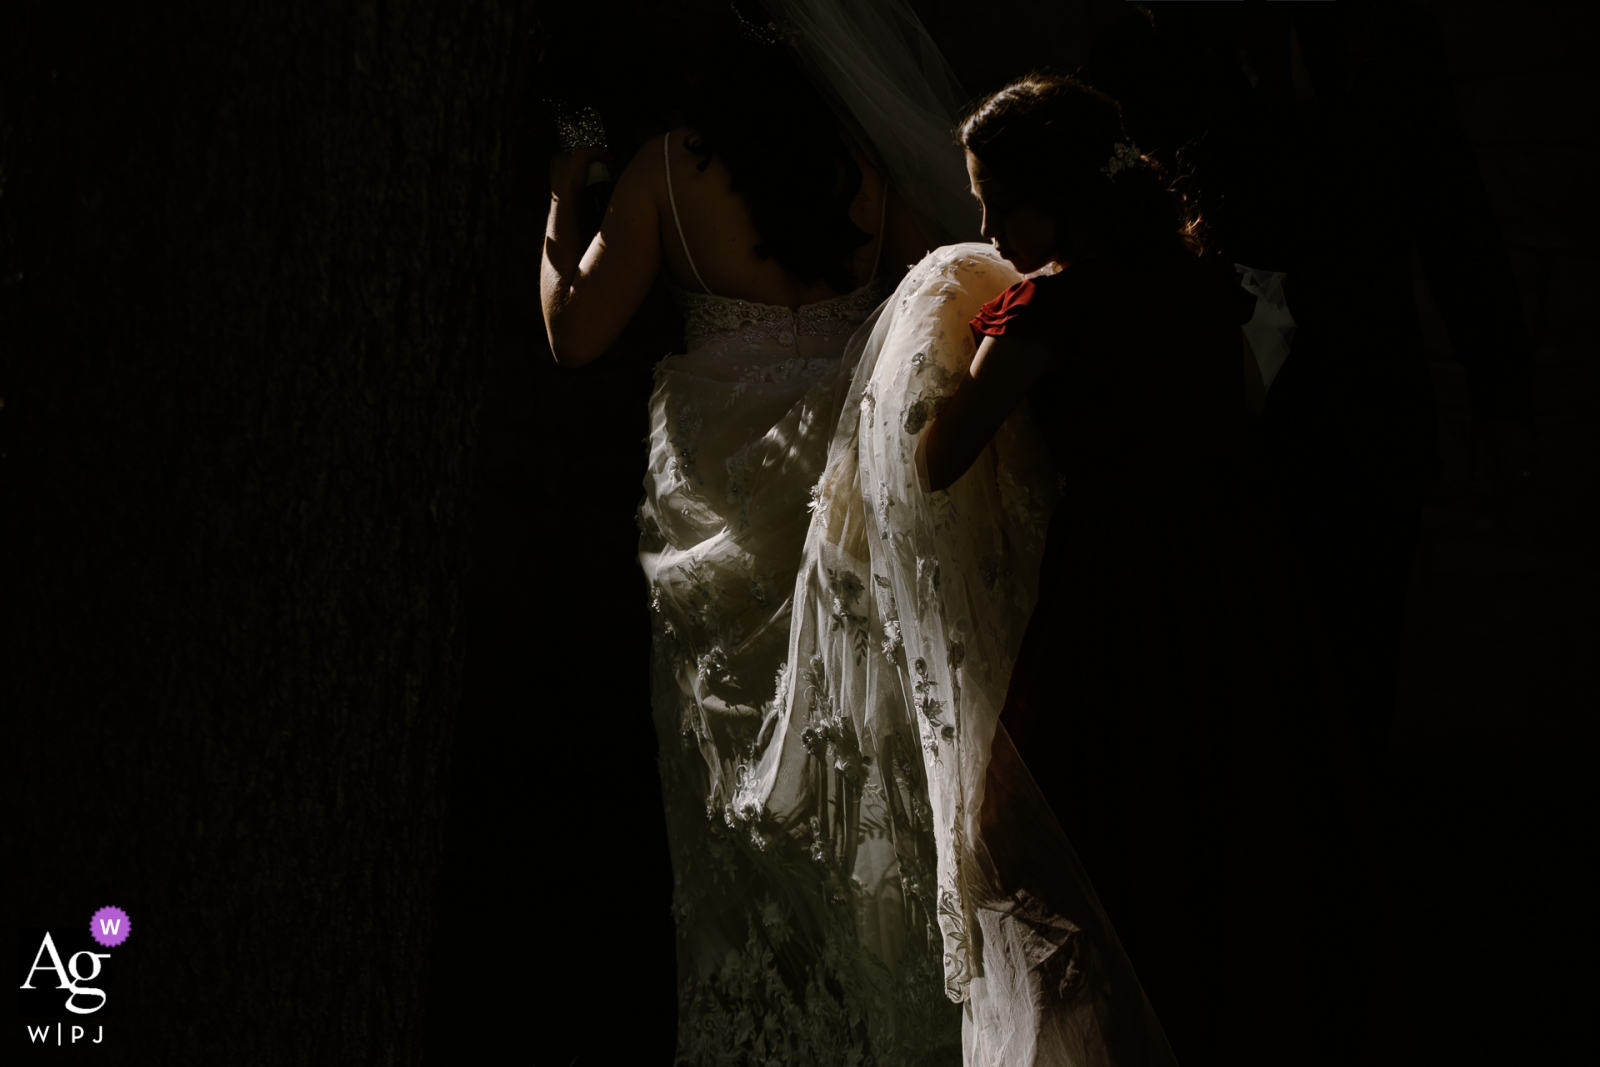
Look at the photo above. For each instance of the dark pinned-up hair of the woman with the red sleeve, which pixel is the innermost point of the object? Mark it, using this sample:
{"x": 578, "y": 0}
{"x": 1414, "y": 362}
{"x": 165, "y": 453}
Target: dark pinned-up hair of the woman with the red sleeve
{"x": 1063, "y": 145}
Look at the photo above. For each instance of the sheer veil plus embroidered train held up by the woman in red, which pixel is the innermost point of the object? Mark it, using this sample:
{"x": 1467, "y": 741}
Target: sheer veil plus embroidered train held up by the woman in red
{"x": 882, "y": 749}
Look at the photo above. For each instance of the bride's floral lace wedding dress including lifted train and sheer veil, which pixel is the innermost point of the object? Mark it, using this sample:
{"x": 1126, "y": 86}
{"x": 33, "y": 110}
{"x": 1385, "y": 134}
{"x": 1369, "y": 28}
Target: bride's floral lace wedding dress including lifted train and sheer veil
{"x": 833, "y": 650}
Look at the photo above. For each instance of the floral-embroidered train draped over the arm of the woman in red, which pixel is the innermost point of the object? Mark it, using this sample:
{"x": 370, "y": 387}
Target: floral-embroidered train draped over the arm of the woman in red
{"x": 910, "y": 613}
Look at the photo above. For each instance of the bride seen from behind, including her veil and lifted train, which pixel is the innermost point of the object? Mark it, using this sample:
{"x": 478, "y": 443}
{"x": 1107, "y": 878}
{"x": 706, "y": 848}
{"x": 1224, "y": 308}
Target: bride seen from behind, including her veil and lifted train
{"x": 825, "y": 709}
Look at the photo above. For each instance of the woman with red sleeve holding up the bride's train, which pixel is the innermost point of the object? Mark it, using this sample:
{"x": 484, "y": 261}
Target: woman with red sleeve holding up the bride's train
{"x": 1164, "y": 697}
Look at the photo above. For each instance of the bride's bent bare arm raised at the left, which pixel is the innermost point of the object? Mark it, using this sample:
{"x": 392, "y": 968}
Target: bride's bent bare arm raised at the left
{"x": 591, "y": 294}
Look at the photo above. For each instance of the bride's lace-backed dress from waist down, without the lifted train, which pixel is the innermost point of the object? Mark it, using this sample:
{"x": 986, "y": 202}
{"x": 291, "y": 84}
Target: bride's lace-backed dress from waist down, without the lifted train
{"x": 793, "y": 933}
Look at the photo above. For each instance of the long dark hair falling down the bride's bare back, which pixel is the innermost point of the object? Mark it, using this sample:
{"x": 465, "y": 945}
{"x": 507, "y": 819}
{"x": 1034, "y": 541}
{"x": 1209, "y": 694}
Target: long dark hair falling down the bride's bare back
{"x": 756, "y": 111}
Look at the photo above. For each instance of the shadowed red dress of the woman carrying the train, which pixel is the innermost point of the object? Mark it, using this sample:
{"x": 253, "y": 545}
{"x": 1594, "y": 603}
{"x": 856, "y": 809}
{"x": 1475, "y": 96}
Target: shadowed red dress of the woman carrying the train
{"x": 1166, "y": 697}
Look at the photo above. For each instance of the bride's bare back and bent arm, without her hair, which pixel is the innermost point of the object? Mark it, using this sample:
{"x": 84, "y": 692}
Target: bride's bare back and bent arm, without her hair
{"x": 586, "y": 310}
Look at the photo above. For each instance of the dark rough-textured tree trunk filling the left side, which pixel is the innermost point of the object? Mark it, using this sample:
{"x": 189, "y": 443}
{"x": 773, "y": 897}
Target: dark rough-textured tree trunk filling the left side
{"x": 242, "y": 318}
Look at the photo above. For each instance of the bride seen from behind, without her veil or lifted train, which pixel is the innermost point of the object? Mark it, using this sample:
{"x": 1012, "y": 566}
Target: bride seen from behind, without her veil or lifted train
{"x": 778, "y": 236}
